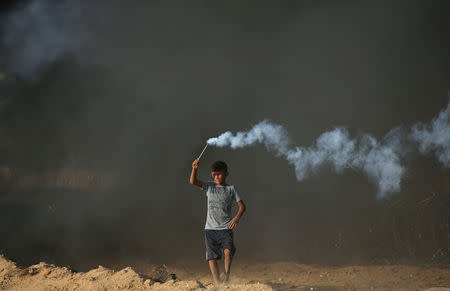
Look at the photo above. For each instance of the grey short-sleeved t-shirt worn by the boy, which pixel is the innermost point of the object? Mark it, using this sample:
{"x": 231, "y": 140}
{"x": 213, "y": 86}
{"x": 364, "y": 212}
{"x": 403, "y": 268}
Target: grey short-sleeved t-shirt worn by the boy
{"x": 220, "y": 201}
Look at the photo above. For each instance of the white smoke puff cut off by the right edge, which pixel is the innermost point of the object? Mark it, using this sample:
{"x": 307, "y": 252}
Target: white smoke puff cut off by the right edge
{"x": 435, "y": 136}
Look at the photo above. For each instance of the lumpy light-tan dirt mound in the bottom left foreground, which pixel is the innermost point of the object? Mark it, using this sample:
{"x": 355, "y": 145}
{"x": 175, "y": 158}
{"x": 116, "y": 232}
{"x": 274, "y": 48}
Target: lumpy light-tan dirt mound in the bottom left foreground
{"x": 45, "y": 276}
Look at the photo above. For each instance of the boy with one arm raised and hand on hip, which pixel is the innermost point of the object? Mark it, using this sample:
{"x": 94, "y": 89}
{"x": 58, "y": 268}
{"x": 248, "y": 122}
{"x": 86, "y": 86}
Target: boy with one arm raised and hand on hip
{"x": 219, "y": 224}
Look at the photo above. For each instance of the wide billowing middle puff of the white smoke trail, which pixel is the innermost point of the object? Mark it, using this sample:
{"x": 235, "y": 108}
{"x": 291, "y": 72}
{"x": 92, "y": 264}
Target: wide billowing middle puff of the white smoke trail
{"x": 381, "y": 162}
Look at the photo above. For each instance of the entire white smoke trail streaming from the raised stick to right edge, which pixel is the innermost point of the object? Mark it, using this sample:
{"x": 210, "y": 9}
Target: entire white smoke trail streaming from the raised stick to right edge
{"x": 380, "y": 160}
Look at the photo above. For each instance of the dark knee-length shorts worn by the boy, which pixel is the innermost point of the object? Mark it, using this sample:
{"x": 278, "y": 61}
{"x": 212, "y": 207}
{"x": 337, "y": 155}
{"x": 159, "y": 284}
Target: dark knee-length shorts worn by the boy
{"x": 217, "y": 241}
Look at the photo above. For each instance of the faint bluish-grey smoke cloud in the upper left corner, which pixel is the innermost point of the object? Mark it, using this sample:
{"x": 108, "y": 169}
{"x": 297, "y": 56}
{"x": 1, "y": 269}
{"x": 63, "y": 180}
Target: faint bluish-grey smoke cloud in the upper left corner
{"x": 37, "y": 33}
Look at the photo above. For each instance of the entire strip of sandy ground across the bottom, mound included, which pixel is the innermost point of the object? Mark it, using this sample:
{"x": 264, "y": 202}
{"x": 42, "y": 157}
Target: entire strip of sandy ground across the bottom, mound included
{"x": 273, "y": 276}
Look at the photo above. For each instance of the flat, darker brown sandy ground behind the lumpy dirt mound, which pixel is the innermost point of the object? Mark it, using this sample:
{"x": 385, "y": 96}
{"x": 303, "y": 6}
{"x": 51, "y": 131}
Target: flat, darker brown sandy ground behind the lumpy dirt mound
{"x": 294, "y": 276}
